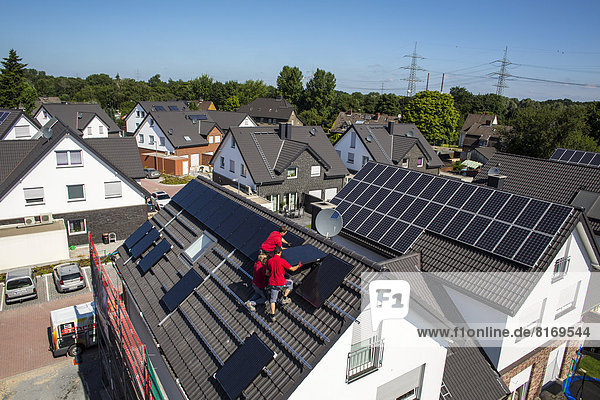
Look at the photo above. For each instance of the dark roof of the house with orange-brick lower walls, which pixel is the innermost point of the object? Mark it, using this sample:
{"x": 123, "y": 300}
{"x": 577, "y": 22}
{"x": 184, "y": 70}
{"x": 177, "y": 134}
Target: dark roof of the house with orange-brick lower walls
{"x": 177, "y": 127}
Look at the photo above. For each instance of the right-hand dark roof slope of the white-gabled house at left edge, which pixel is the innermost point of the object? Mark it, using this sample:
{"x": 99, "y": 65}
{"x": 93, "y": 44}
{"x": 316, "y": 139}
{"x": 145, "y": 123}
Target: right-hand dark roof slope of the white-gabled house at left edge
{"x": 122, "y": 152}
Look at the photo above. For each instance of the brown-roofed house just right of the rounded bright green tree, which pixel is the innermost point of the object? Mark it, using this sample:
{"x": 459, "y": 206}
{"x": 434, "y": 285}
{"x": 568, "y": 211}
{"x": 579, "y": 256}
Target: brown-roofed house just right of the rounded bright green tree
{"x": 480, "y": 130}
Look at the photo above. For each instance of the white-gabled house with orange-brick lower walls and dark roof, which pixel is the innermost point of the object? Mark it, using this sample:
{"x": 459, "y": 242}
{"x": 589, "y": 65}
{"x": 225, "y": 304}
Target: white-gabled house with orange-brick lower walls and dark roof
{"x": 179, "y": 143}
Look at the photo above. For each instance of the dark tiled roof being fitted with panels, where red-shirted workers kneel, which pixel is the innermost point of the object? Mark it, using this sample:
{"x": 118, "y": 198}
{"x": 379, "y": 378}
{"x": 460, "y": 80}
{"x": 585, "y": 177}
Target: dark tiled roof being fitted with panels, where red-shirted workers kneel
{"x": 189, "y": 271}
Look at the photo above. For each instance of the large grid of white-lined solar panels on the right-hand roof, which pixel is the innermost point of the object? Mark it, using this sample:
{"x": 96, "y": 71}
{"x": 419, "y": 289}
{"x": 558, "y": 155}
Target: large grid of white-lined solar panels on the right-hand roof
{"x": 393, "y": 206}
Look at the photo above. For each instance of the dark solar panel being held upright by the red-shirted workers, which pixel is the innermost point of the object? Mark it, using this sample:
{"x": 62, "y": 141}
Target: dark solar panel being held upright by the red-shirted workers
{"x": 323, "y": 279}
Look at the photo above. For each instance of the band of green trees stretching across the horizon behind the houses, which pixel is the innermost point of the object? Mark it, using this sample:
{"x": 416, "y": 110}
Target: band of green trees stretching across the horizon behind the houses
{"x": 537, "y": 127}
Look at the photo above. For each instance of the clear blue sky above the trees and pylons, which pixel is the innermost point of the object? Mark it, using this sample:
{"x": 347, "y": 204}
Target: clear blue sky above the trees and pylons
{"x": 362, "y": 43}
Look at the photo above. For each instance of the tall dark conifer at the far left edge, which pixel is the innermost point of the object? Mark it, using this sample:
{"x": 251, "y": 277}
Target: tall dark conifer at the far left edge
{"x": 13, "y": 87}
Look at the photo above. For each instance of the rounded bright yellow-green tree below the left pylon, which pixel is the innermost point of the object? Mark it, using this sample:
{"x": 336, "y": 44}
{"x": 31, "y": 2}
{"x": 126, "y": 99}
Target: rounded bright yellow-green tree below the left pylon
{"x": 435, "y": 116}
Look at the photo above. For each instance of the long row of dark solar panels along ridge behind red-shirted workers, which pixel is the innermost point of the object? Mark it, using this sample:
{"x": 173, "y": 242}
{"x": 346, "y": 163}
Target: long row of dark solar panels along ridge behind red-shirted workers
{"x": 234, "y": 223}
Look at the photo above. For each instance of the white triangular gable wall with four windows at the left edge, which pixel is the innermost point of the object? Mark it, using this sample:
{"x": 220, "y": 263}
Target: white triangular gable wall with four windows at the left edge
{"x": 55, "y": 179}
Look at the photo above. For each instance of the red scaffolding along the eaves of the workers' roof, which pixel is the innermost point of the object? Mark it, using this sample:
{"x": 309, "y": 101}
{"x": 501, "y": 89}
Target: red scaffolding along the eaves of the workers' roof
{"x": 126, "y": 369}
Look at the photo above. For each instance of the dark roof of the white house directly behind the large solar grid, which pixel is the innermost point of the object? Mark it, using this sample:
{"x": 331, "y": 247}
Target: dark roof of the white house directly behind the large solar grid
{"x": 389, "y": 149}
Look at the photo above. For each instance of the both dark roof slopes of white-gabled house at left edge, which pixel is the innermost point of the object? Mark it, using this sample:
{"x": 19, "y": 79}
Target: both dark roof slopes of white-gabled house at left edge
{"x": 18, "y": 157}
